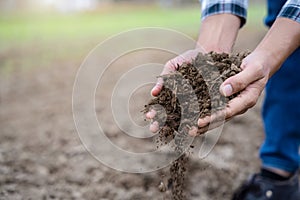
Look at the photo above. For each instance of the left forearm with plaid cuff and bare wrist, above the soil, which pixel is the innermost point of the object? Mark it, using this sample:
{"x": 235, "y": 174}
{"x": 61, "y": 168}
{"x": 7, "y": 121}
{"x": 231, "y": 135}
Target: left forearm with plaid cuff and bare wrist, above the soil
{"x": 221, "y": 21}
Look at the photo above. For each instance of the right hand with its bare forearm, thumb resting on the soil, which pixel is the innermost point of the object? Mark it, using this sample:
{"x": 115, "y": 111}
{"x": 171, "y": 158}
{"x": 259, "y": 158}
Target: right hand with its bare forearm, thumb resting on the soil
{"x": 280, "y": 41}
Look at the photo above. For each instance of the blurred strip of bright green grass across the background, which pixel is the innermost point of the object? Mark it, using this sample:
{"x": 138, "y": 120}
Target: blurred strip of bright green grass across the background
{"x": 53, "y": 26}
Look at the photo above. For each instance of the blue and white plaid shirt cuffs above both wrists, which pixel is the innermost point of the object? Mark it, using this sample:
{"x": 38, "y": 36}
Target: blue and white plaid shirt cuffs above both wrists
{"x": 291, "y": 9}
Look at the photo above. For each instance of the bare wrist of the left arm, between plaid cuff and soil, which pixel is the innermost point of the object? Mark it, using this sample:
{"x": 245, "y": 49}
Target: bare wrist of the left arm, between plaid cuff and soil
{"x": 218, "y": 32}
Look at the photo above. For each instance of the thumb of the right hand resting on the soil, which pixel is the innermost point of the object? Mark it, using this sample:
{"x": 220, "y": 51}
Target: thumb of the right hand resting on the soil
{"x": 241, "y": 80}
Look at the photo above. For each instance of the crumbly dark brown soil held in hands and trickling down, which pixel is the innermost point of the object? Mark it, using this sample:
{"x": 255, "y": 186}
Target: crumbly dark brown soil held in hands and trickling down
{"x": 189, "y": 93}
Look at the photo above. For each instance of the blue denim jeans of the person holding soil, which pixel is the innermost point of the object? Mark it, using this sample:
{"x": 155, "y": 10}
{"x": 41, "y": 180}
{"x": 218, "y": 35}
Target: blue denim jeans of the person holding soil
{"x": 281, "y": 110}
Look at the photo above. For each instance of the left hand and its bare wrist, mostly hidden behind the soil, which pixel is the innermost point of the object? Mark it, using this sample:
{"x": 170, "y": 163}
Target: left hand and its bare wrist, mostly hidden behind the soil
{"x": 217, "y": 33}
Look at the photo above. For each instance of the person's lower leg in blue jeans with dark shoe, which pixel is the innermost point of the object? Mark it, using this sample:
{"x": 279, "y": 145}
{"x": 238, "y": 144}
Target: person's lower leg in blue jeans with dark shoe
{"x": 280, "y": 152}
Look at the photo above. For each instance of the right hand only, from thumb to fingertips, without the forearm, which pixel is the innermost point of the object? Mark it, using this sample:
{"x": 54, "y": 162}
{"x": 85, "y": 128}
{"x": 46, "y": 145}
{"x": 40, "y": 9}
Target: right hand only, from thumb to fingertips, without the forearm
{"x": 250, "y": 82}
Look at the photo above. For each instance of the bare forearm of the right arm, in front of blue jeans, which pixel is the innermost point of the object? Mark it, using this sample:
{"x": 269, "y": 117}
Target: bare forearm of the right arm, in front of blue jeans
{"x": 280, "y": 41}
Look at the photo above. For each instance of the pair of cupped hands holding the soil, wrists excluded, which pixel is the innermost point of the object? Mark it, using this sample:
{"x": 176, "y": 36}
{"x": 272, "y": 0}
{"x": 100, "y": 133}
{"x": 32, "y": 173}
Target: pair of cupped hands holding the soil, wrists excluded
{"x": 250, "y": 82}
